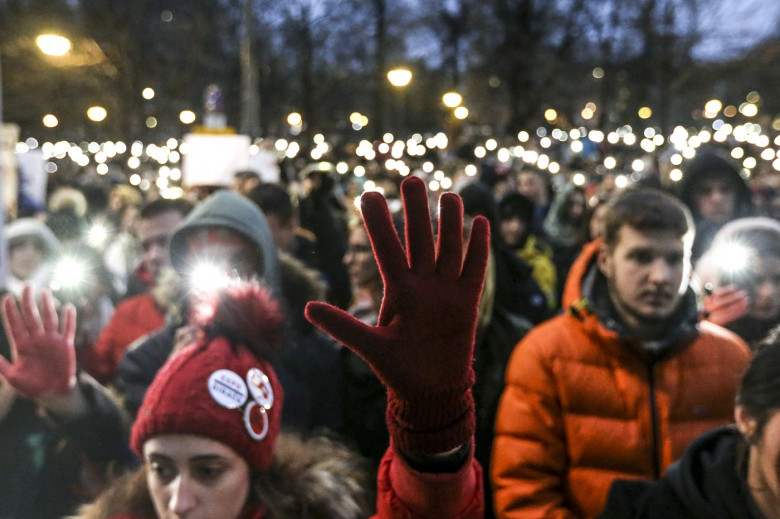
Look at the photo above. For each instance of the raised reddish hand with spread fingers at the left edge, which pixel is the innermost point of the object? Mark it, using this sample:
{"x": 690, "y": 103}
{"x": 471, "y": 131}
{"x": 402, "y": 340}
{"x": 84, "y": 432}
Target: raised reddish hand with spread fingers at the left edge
{"x": 44, "y": 358}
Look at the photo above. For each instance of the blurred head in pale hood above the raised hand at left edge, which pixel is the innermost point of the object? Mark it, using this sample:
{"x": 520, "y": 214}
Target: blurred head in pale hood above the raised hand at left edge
{"x": 32, "y": 250}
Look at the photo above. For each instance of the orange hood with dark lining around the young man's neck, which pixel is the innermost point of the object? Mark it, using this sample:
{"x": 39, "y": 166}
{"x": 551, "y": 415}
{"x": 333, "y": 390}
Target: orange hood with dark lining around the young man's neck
{"x": 585, "y": 296}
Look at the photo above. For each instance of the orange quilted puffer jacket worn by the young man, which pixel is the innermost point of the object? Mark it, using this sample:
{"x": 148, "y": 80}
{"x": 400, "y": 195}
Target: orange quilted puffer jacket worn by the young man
{"x": 583, "y": 406}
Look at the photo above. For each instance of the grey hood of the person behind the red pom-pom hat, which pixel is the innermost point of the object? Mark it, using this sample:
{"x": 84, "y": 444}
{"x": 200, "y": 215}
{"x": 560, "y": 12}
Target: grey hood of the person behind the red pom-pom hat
{"x": 228, "y": 210}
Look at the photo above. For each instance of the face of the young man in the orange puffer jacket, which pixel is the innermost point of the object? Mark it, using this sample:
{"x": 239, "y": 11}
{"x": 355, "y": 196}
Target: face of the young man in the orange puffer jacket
{"x": 647, "y": 273}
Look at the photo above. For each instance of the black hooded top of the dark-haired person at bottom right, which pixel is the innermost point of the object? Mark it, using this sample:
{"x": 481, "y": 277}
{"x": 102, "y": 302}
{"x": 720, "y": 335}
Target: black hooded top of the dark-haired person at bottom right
{"x": 707, "y": 483}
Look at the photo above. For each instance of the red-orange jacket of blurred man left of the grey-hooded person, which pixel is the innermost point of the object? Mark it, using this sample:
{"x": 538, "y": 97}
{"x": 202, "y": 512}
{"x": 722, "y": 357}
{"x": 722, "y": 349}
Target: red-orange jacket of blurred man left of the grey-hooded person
{"x": 133, "y": 318}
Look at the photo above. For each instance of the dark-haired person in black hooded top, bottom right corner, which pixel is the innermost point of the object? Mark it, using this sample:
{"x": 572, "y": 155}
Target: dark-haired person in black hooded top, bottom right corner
{"x": 729, "y": 473}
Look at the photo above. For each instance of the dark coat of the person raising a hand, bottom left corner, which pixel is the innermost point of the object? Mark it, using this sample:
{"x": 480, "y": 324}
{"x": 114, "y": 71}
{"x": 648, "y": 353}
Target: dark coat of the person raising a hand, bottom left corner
{"x": 48, "y": 467}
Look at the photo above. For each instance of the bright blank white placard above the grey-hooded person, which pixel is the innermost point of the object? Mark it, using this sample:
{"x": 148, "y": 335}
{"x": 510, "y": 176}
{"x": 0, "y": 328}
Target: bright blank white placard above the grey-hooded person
{"x": 213, "y": 160}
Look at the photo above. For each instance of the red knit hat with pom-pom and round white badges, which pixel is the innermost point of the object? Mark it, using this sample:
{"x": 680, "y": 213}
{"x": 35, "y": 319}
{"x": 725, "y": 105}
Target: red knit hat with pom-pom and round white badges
{"x": 217, "y": 388}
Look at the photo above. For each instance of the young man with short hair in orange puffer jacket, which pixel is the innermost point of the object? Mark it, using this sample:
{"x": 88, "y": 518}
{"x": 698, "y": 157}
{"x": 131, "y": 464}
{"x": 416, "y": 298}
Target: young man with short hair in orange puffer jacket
{"x": 620, "y": 384}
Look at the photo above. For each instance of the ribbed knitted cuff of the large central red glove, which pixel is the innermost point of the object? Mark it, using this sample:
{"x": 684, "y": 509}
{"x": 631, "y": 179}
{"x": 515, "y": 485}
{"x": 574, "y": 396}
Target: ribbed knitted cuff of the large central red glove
{"x": 433, "y": 423}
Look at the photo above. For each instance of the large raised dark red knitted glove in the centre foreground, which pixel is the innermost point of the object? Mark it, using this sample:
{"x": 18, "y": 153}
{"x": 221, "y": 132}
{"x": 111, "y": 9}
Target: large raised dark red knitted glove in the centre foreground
{"x": 423, "y": 343}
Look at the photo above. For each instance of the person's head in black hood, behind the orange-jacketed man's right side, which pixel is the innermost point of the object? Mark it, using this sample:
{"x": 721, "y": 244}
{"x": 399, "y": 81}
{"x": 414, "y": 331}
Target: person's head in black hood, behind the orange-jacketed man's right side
{"x": 715, "y": 193}
